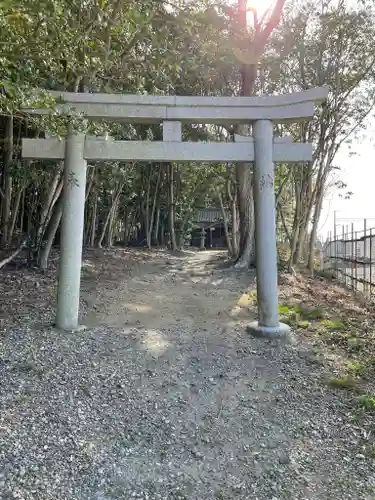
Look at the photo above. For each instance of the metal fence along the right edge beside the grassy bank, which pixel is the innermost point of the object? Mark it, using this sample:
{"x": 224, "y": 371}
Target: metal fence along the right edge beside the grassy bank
{"x": 349, "y": 254}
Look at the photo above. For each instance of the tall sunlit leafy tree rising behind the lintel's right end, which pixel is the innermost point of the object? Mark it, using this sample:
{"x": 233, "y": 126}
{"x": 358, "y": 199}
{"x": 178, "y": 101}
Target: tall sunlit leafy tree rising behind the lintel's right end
{"x": 324, "y": 43}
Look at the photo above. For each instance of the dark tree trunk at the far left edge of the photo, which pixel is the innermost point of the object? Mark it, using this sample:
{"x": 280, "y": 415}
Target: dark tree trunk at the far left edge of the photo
{"x": 7, "y": 179}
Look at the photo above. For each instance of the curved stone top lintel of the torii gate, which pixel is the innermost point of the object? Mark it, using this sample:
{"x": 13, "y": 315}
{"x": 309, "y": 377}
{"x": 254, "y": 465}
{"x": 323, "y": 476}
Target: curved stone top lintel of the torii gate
{"x": 292, "y": 107}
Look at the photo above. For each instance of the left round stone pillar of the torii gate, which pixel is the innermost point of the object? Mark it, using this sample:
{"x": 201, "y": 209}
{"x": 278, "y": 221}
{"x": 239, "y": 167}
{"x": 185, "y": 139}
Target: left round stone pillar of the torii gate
{"x": 71, "y": 239}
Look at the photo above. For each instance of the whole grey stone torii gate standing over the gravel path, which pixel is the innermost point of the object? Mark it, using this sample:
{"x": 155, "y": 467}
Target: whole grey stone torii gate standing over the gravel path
{"x": 262, "y": 149}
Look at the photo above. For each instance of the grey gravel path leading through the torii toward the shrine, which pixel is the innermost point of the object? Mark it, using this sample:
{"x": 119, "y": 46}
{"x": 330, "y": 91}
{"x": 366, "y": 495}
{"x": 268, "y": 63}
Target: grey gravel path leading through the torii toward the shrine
{"x": 165, "y": 396}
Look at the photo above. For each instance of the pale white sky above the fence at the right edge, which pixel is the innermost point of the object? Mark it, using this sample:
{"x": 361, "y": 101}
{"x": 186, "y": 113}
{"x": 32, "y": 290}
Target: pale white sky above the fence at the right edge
{"x": 358, "y": 172}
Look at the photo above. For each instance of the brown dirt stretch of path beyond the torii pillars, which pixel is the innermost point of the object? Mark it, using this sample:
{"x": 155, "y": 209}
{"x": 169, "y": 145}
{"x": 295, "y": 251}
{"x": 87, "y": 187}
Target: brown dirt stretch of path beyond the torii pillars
{"x": 186, "y": 290}
